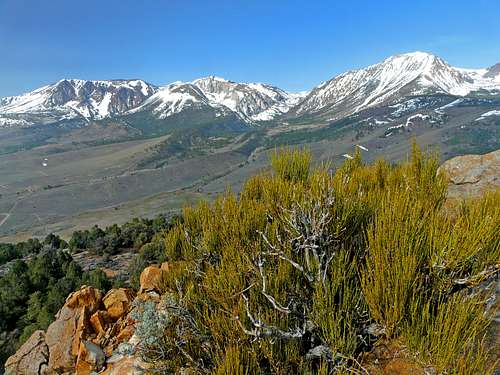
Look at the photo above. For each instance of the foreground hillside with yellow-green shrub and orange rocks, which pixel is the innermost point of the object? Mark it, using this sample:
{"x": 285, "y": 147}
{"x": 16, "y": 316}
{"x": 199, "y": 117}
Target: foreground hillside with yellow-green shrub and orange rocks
{"x": 363, "y": 269}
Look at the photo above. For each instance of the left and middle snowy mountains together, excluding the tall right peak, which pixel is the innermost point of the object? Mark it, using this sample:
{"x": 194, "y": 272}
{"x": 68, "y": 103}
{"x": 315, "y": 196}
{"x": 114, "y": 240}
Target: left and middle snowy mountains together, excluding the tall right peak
{"x": 97, "y": 100}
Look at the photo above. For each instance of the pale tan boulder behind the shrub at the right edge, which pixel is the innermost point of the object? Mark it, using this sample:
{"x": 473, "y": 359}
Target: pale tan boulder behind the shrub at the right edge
{"x": 472, "y": 175}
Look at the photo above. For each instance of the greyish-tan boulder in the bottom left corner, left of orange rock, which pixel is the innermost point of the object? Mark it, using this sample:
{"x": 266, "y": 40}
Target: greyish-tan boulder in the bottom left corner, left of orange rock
{"x": 31, "y": 358}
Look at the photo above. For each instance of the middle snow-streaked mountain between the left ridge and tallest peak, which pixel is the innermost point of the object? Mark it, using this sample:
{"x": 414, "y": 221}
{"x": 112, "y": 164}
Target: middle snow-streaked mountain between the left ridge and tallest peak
{"x": 250, "y": 101}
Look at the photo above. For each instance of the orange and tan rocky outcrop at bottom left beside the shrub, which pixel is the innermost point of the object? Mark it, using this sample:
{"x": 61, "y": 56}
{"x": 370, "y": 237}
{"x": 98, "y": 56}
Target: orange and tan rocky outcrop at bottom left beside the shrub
{"x": 87, "y": 329}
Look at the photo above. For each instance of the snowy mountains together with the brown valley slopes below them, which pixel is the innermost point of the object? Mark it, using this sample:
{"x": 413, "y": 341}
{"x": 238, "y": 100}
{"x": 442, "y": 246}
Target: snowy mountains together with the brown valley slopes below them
{"x": 75, "y": 153}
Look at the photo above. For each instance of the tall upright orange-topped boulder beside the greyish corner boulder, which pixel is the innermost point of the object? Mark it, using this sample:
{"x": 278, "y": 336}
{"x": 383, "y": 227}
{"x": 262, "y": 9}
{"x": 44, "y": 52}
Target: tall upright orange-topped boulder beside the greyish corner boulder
{"x": 71, "y": 326}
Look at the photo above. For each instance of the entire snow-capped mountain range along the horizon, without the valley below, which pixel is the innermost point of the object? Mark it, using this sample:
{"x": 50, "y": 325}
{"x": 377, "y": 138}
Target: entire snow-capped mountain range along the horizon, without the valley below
{"x": 389, "y": 82}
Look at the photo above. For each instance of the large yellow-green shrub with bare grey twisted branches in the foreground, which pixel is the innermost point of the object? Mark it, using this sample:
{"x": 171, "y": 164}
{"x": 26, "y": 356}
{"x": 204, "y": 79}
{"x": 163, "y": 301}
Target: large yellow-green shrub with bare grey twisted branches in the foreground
{"x": 307, "y": 269}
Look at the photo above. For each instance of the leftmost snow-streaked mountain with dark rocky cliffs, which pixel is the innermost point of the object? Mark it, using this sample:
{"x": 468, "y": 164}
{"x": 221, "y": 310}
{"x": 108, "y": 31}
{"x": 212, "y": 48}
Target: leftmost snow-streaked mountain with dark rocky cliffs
{"x": 73, "y": 98}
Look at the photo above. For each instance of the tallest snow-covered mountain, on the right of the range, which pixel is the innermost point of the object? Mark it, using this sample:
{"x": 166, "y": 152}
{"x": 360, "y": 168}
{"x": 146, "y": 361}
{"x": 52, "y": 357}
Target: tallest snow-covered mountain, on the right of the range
{"x": 400, "y": 76}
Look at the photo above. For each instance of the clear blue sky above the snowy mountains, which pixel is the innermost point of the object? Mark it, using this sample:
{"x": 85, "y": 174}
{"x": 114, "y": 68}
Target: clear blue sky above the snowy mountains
{"x": 292, "y": 44}
